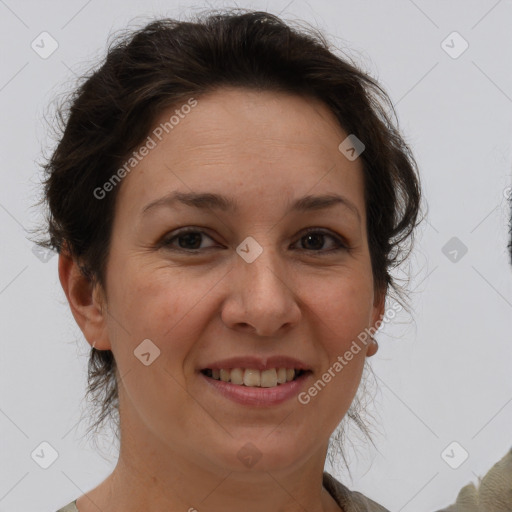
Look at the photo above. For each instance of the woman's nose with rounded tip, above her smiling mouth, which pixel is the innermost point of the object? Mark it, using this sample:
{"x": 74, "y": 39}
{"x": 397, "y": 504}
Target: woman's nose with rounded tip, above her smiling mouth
{"x": 261, "y": 298}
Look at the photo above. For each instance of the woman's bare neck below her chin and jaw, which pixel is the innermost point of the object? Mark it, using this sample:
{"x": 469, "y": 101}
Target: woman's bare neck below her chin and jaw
{"x": 151, "y": 476}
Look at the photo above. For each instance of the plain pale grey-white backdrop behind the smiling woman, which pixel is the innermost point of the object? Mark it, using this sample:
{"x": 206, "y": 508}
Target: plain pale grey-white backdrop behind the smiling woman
{"x": 443, "y": 375}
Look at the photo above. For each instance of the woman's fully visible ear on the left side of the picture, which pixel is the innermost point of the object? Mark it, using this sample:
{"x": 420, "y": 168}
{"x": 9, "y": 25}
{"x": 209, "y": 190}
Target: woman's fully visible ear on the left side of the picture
{"x": 86, "y": 301}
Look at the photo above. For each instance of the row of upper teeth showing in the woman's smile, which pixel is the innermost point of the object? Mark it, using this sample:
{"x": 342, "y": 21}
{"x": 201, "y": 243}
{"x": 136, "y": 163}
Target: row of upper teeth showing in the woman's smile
{"x": 255, "y": 378}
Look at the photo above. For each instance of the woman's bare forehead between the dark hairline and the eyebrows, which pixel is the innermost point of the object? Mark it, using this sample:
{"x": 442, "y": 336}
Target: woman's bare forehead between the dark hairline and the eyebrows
{"x": 259, "y": 143}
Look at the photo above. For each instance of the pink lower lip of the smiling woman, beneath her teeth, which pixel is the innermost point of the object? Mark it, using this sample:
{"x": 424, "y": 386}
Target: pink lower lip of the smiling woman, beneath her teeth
{"x": 254, "y": 396}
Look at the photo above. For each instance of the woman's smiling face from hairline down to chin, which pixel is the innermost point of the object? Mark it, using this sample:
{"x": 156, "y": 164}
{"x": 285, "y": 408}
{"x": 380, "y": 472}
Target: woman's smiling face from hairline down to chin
{"x": 246, "y": 282}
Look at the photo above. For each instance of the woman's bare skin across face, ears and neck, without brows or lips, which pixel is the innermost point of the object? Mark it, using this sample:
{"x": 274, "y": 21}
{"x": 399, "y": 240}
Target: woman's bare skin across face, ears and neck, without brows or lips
{"x": 299, "y": 298}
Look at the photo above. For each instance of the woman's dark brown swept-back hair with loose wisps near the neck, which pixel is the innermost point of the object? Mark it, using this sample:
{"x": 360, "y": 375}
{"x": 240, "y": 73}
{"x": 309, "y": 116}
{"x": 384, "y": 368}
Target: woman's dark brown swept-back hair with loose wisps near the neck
{"x": 167, "y": 62}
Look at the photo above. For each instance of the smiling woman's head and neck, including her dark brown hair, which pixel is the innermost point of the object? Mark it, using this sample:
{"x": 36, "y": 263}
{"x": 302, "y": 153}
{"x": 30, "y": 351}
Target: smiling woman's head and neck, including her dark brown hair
{"x": 227, "y": 199}
